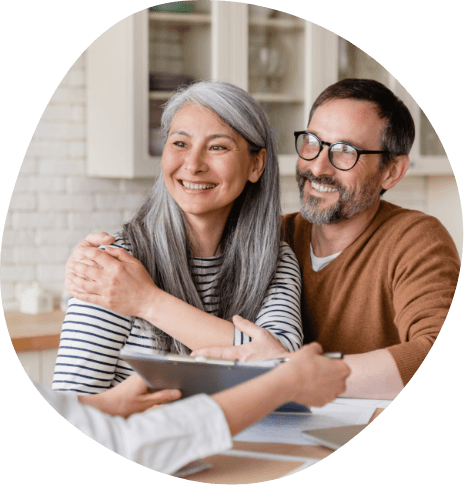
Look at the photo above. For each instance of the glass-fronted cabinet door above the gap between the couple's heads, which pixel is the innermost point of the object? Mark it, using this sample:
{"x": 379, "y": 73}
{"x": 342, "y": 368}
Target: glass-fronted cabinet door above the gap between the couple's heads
{"x": 277, "y": 75}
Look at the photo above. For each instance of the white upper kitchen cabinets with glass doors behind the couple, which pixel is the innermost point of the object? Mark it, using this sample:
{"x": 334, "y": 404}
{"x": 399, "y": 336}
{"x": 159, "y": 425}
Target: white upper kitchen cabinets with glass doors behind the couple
{"x": 282, "y": 60}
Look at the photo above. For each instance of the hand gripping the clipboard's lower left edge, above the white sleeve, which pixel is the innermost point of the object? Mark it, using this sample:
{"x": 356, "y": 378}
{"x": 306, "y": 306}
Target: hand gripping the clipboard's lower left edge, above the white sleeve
{"x": 129, "y": 397}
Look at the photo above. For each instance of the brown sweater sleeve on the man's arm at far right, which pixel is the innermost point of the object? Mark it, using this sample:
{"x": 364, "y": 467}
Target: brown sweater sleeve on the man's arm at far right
{"x": 424, "y": 270}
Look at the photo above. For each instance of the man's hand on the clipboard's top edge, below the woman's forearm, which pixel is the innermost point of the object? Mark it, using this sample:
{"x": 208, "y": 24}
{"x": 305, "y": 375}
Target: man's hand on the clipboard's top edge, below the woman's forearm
{"x": 263, "y": 346}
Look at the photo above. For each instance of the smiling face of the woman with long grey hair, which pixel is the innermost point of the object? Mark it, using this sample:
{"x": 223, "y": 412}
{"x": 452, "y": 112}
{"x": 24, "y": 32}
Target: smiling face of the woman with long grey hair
{"x": 206, "y": 164}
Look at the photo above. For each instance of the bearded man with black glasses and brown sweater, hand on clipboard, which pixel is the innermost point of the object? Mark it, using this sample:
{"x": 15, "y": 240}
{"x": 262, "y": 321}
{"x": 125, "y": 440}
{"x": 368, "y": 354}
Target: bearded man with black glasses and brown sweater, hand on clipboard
{"x": 378, "y": 280}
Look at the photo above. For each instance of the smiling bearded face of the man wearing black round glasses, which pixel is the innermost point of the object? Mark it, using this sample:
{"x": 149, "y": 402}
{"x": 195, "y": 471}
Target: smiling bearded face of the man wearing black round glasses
{"x": 328, "y": 195}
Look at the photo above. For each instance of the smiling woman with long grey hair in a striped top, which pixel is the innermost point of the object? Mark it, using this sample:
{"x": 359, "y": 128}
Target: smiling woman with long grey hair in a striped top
{"x": 205, "y": 246}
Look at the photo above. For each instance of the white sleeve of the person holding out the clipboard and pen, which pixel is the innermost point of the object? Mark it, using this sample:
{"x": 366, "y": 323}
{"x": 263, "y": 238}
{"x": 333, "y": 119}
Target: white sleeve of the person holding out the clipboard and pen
{"x": 162, "y": 439}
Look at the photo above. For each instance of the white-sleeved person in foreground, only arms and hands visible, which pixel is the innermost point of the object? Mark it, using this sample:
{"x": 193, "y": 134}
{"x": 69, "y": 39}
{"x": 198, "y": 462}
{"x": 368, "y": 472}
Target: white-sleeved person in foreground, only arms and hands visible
{"x": 168, "y": 437}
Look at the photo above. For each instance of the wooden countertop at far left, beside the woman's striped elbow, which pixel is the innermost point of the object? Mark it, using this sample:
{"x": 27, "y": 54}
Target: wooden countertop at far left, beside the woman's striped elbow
{"x": 34, "y": 332}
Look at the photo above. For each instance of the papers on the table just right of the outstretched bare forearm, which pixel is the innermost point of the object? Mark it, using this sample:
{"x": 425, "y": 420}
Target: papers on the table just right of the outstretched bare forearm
{"x": 287, "y": 427}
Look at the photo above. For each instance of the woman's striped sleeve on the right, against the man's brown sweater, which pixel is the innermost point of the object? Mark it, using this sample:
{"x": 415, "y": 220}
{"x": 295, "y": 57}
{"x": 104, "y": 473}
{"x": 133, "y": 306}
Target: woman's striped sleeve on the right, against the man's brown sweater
{"x": 281, "y": 313}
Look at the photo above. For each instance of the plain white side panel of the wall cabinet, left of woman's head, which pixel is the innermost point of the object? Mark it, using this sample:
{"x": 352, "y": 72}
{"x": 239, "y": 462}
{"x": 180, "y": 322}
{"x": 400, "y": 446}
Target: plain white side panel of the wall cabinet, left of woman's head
{"x": 117, "y": 107}
